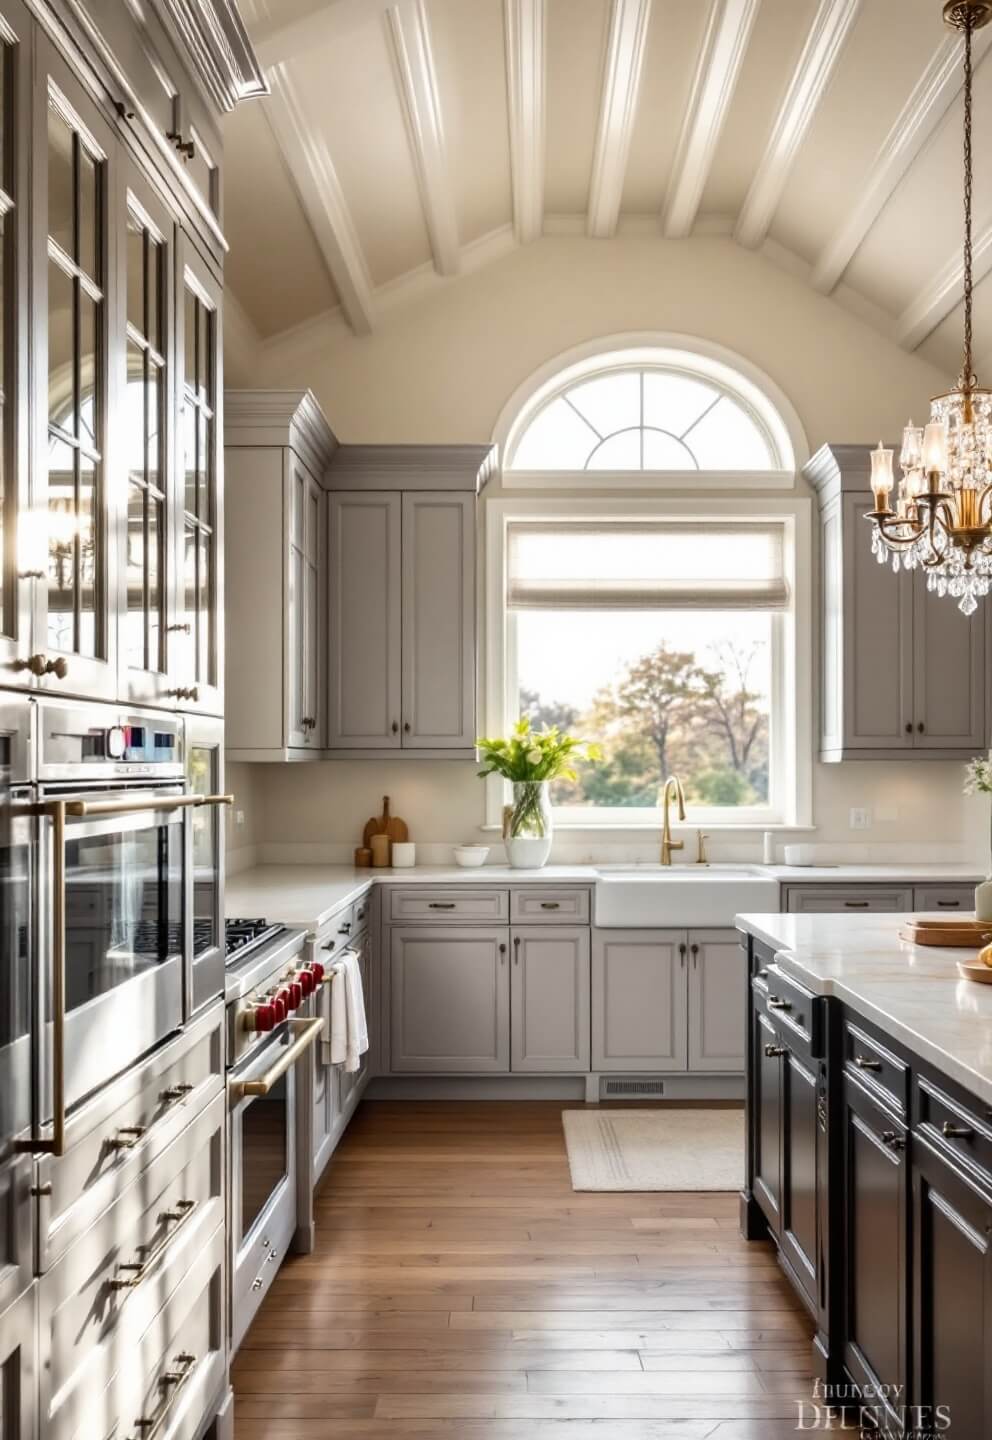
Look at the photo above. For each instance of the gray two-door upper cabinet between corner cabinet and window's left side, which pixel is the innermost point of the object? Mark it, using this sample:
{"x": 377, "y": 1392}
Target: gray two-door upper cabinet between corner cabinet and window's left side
{"x": 402, "y": 578}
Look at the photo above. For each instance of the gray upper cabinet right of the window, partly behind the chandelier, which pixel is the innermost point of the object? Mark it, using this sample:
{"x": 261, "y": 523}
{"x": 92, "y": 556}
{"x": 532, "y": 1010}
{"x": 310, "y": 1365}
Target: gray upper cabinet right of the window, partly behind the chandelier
{"x": 903, "y": 672}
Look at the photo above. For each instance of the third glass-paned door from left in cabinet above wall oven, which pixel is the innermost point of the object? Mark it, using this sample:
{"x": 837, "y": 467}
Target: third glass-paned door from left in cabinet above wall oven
{"x": 150, "y": 633}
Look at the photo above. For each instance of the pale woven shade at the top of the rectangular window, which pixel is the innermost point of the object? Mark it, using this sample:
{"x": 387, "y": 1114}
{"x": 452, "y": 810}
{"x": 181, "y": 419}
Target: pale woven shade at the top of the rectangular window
{"x": 651, "y": 567}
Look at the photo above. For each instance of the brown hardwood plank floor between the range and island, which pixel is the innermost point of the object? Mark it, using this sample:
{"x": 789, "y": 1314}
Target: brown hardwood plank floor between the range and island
{"x": 461, "y": 1291}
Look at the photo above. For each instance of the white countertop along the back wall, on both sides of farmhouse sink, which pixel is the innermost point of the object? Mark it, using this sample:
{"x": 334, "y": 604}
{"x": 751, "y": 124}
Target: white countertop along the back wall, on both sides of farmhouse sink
{"x": 310, "y": 895}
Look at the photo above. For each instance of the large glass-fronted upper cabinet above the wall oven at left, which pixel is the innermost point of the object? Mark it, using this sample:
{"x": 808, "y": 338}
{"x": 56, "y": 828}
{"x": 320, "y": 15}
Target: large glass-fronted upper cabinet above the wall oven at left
{"x": 112, "y": 498}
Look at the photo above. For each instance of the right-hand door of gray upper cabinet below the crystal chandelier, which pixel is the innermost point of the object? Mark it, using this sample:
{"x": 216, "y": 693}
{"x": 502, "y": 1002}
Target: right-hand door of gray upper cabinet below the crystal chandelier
{"x": 950, "y": 675}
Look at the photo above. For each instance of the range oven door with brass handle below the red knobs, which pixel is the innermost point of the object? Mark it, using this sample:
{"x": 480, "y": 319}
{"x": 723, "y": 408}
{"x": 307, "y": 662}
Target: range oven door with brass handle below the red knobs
{"x": 264, "y": 1164}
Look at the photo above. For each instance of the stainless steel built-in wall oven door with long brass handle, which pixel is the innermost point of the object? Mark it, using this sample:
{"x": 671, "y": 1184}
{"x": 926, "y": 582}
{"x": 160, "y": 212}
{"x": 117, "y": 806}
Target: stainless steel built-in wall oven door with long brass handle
{"x": 113, "y": 901}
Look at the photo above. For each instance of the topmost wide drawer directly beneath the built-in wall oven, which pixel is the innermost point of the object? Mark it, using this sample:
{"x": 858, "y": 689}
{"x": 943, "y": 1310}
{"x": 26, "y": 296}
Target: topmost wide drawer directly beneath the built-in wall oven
{"x": 122, "y": 1133}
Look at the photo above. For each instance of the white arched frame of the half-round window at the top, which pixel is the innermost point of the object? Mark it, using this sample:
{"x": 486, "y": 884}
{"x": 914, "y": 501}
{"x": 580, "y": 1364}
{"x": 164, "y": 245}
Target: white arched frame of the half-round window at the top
{"x": 687, "y": 355}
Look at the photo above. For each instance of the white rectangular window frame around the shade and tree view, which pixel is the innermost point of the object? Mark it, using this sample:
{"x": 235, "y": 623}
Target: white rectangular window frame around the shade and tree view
{"x": 793, "y": 715}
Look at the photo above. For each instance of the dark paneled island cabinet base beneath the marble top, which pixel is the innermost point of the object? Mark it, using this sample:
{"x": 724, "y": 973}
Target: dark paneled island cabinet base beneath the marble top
{"x": 870, "y": 1170}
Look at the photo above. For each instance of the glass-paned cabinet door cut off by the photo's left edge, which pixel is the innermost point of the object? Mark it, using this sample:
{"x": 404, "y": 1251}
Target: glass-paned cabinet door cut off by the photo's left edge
{"x": 22, "y": 567}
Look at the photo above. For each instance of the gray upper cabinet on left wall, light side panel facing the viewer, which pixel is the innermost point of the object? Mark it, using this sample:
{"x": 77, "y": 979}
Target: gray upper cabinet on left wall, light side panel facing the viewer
{"x": 277, "y": 443}
